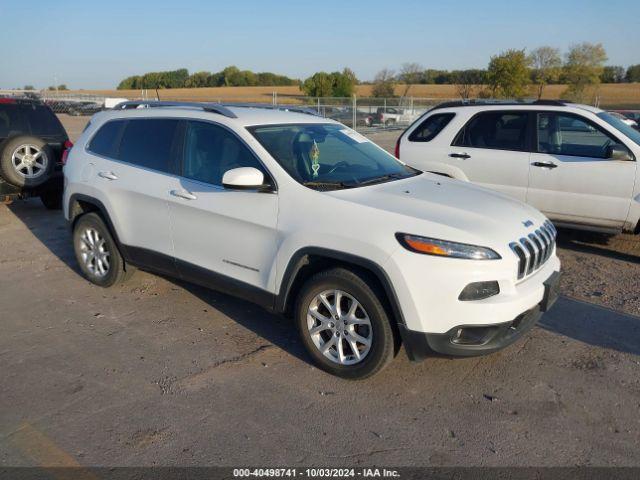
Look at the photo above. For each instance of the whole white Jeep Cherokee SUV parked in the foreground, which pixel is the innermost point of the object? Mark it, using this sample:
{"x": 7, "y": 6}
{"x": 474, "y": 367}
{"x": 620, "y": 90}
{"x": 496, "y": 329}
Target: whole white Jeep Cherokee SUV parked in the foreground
{"x": 305, "y": 216}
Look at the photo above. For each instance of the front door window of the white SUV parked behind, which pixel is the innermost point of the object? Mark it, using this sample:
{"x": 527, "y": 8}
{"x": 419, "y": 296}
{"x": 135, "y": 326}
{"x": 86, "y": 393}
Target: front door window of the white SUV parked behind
{"x": 561, "y": 134}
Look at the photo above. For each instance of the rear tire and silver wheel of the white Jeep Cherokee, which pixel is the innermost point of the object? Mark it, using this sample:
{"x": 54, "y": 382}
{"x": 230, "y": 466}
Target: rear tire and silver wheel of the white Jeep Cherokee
{"x": 91, "y": 236}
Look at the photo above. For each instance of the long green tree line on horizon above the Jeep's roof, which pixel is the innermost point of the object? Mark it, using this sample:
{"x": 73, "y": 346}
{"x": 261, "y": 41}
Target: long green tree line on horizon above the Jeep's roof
{"x": 231, "y": 76}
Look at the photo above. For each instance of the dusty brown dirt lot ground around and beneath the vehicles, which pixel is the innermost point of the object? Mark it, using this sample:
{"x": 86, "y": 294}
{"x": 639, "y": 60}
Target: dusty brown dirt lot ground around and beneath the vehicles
{"x": 158, "y": 372}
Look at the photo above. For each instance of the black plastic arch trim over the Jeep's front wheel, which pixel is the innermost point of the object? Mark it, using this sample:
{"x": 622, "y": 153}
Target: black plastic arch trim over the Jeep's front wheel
{"x": 310, "y": 260}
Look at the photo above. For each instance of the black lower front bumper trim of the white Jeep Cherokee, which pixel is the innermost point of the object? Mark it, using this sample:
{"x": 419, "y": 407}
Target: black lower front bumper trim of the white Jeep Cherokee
{"x": 472, "y": 340}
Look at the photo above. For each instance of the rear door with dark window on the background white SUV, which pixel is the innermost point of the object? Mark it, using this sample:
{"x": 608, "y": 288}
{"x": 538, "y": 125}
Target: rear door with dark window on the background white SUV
{"x": 493, "y": 150}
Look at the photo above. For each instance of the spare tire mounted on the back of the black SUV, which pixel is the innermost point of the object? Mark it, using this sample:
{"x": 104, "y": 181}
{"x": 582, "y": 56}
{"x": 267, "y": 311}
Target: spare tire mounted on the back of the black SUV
{"x": 26, "y": 161}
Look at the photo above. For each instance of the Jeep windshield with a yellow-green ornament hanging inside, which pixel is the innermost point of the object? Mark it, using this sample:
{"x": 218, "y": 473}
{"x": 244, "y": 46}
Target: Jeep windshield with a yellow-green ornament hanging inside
{"x": 329, "y": 156}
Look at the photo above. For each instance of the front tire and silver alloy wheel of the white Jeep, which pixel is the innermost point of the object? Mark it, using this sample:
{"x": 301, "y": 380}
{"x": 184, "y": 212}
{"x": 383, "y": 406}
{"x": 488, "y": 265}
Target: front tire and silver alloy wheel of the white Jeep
{"x": 369, "y": 322}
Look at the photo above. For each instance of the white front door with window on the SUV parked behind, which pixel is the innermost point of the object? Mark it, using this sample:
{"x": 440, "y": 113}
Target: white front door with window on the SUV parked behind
{"x": 571, "y": 179}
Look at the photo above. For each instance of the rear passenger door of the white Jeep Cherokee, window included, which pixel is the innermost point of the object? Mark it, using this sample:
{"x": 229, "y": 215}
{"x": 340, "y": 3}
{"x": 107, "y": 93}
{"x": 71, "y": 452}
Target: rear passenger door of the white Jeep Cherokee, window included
{"x": 135, "y": 167}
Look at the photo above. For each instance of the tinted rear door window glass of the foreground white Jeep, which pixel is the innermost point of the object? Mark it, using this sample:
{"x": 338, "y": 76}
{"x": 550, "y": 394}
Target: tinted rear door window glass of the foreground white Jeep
{"x": 150, "y": 143}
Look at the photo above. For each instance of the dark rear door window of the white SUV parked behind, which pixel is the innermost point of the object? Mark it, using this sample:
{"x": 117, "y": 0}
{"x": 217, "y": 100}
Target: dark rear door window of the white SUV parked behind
{"x": 495, "y": 130}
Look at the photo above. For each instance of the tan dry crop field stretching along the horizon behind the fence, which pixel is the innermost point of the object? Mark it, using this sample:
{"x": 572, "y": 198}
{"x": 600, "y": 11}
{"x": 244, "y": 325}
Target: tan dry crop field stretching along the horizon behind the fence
{"x": 618, "y": 94}
